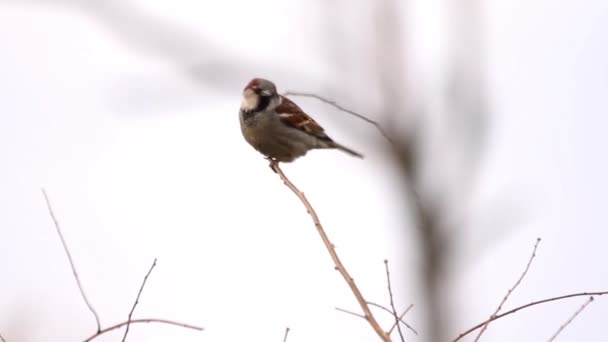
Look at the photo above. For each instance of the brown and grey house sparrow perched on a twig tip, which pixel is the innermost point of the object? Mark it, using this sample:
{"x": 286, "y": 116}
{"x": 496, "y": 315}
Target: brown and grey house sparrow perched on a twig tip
{"x": 277, "y": 127}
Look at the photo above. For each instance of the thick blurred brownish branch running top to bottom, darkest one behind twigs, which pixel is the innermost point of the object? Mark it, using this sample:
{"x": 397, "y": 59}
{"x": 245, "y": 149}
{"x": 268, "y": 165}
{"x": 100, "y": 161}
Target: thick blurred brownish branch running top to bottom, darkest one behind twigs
{"x": 404, "y": 119}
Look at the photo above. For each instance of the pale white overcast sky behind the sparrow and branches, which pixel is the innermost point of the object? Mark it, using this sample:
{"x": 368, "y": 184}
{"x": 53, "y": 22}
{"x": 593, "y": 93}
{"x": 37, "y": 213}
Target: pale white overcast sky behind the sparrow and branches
{"x": 142, "y": 160}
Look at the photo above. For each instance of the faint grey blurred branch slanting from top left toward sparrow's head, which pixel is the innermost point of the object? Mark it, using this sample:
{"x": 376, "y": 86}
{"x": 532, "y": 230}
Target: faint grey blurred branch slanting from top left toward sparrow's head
{"x": 192, "y": 53}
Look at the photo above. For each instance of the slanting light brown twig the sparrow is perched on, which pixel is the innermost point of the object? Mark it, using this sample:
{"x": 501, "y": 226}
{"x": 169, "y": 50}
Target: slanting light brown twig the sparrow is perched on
{"x": 330, "y": 248}
